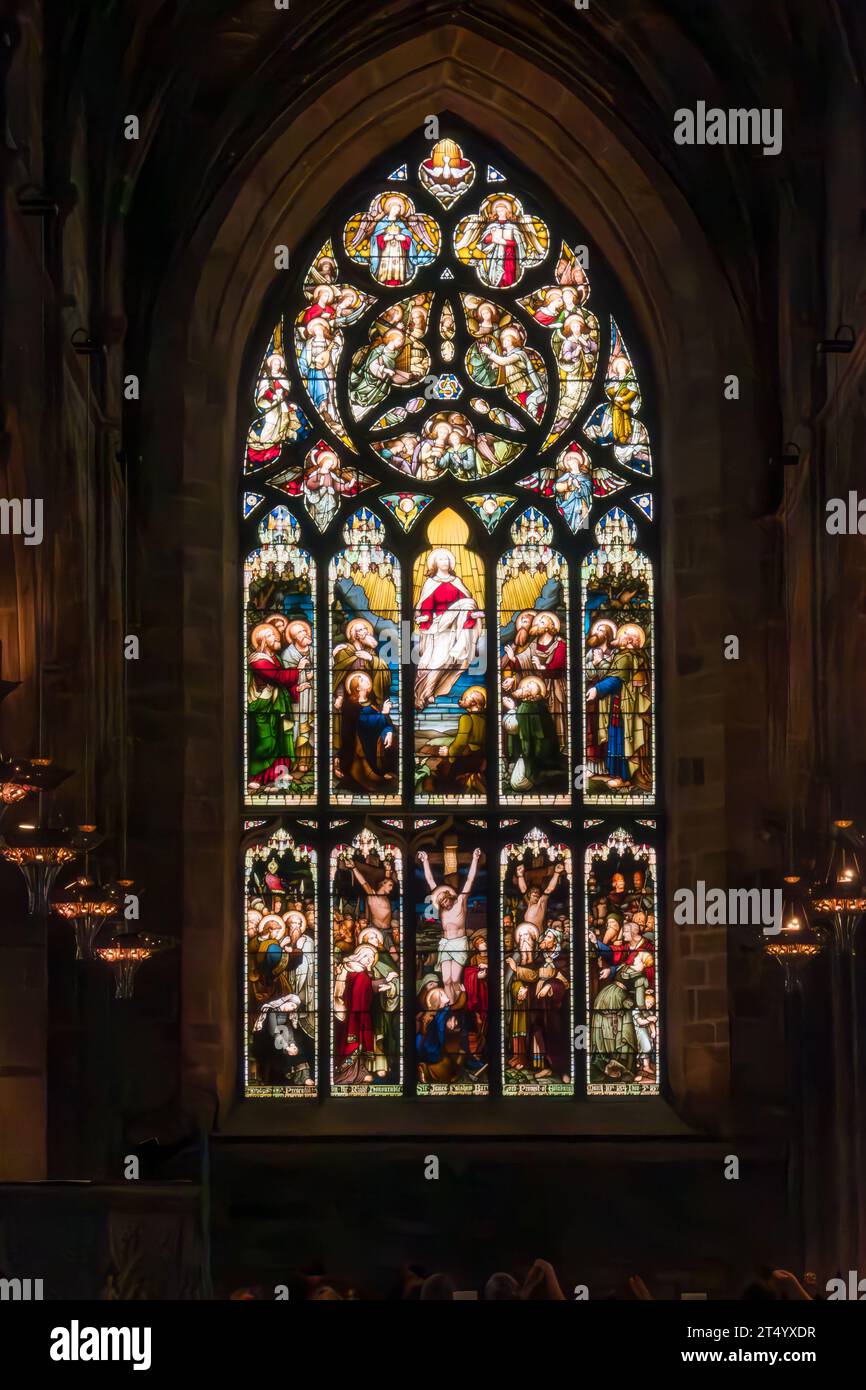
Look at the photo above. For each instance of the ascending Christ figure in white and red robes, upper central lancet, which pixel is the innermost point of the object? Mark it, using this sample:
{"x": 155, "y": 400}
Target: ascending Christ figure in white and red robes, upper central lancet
{"x": 450, "y": 625}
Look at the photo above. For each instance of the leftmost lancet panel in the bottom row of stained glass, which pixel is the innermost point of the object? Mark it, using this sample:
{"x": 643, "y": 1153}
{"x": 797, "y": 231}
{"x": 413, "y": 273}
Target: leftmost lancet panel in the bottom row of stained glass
{"x": 280, "y": 972}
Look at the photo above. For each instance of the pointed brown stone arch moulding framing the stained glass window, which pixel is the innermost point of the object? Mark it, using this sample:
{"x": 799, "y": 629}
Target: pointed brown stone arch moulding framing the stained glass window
{"x": 679, "y": 297}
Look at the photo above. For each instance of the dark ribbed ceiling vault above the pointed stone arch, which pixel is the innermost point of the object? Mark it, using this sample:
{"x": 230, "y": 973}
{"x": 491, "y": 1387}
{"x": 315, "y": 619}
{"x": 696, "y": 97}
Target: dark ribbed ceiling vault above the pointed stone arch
{"x": 211, "y": 81}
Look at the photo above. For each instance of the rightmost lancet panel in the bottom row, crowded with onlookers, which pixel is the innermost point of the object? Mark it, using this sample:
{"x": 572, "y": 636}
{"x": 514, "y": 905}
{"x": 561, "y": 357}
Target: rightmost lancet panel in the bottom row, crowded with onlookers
{"x": 621, "y": 882}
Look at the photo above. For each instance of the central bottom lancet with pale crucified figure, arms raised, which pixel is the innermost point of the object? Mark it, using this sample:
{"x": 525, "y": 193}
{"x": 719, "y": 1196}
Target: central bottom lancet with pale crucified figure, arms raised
{"x": 451, "y": 971}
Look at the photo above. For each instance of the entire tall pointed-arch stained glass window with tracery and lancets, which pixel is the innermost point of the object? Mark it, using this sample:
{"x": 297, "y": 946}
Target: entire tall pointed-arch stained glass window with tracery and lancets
{"x": 450, "y": 635}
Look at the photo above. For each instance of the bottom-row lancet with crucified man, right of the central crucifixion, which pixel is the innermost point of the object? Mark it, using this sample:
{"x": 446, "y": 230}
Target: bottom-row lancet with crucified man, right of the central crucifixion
{"x": 537, "y": 953}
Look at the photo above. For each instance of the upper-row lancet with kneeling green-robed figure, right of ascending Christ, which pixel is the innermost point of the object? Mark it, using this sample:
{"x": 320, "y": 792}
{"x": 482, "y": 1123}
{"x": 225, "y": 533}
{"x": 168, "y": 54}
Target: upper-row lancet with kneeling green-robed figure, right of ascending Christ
{"x": 534, "y": 668}
